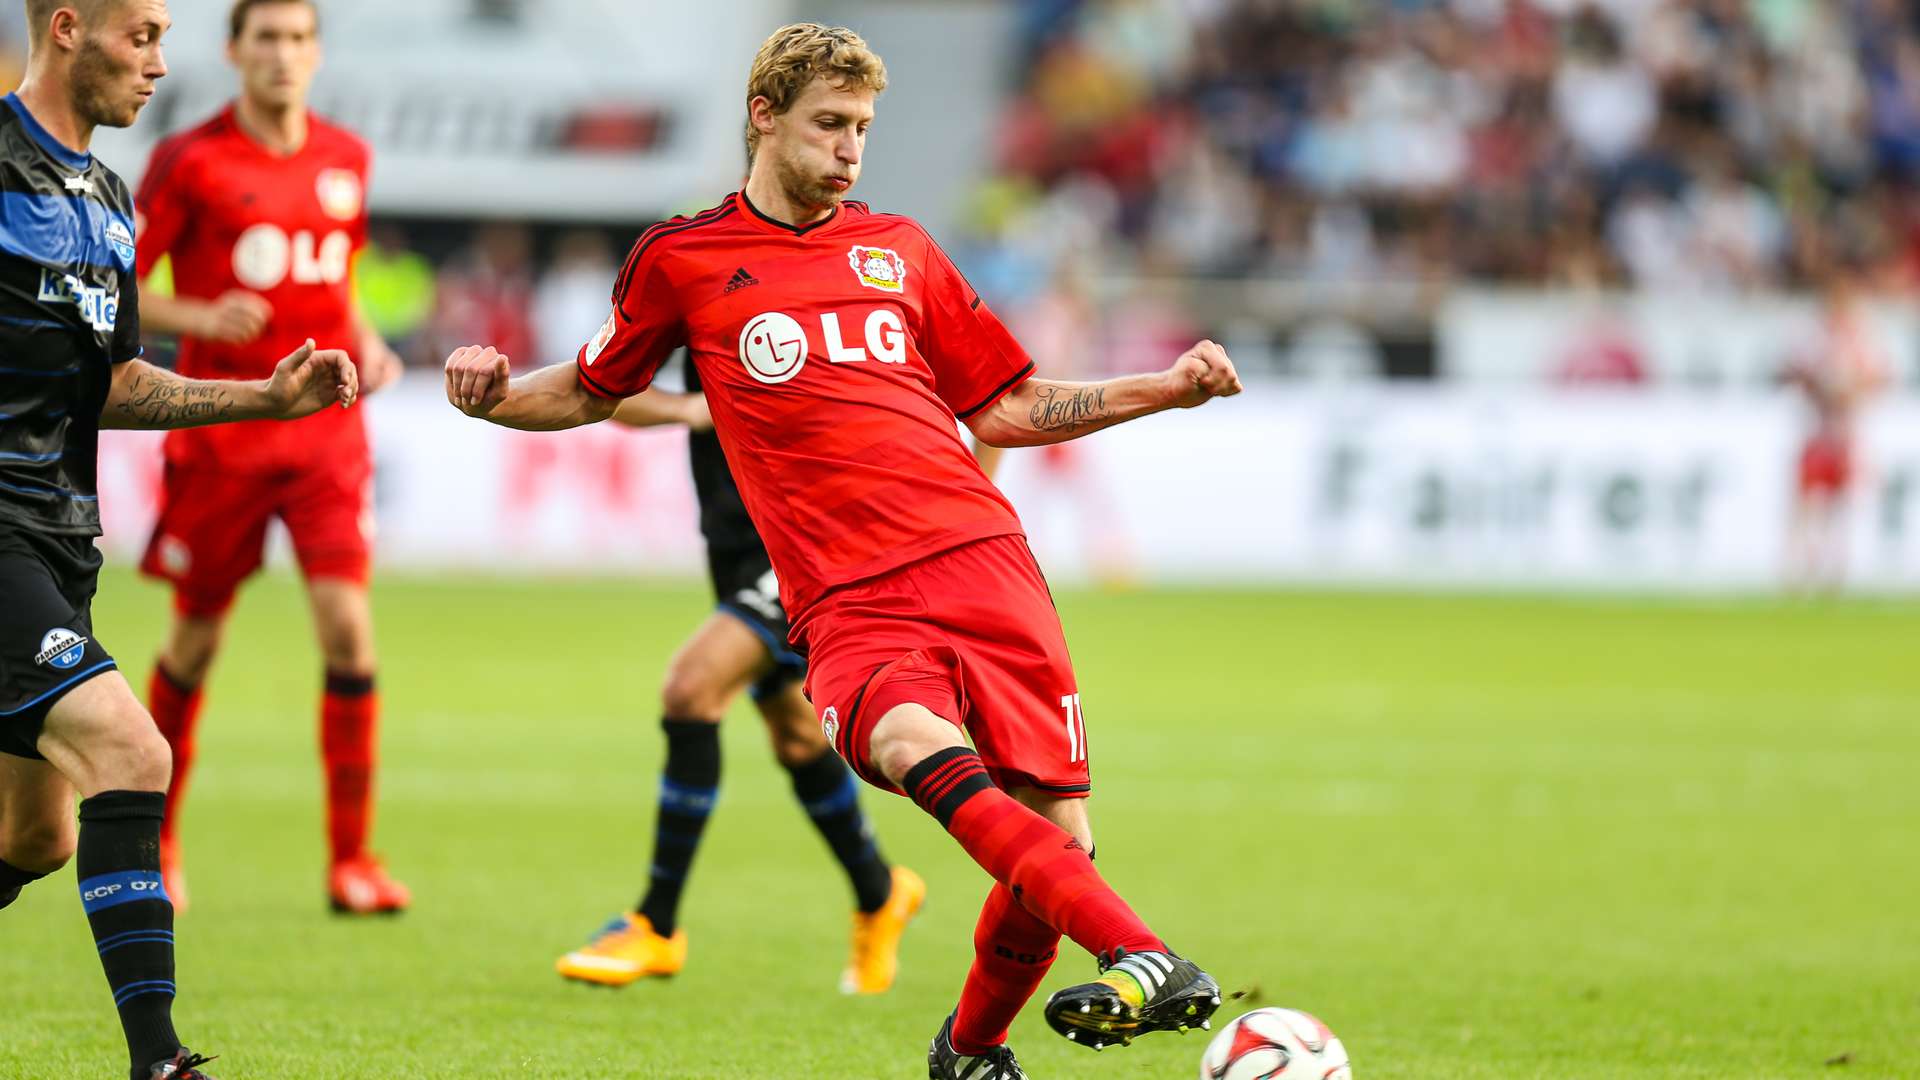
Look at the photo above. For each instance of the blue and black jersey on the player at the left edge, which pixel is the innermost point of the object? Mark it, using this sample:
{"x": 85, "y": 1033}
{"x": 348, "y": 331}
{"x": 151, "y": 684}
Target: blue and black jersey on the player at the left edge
{"x": 68, "y": 314}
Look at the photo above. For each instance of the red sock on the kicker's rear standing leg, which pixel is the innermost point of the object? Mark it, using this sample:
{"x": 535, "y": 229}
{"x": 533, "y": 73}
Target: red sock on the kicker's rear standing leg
{"x": 1013, "y": 952}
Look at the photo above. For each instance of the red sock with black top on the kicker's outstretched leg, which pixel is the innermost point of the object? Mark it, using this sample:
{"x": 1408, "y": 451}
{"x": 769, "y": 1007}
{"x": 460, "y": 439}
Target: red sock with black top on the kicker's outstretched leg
{"x": 1036, "y": 860}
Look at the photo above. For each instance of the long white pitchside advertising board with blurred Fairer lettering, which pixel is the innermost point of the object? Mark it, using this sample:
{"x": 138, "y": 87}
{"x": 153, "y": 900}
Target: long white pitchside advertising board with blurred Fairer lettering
{"x": 1431, "y": 487}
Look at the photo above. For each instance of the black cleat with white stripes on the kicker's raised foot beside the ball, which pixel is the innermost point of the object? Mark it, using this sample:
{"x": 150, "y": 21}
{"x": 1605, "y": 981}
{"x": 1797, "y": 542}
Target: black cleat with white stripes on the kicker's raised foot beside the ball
{"x": 1136, "y": 994}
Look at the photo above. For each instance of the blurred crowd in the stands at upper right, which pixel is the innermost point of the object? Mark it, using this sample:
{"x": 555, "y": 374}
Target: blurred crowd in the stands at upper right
{"x": 1704, "y": 145}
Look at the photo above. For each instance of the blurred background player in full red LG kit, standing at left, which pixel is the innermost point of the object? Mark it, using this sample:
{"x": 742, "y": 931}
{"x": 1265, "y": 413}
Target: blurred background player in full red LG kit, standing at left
{"x": 262, "y": 212}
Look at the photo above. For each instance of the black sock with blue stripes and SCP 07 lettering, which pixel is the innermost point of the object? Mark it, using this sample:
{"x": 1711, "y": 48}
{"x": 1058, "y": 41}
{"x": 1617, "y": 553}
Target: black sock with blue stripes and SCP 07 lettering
{"x": 132, "y": 918}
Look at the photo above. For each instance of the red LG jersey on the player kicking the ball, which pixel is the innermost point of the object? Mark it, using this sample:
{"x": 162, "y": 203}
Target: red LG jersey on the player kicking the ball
{"x": 836, "y": 360}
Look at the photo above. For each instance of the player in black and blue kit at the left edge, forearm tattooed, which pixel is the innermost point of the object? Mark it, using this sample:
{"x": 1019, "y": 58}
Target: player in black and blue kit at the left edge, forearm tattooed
{"x": 70, "y": 328}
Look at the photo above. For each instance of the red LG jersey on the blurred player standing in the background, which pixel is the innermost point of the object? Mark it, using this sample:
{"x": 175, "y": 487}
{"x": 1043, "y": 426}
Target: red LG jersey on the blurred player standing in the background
{"x": 237, "y": 216}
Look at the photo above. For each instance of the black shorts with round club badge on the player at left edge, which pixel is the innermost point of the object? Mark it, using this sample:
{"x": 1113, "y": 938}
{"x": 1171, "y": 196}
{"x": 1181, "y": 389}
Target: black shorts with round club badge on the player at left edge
{"x": 47, "y": 629}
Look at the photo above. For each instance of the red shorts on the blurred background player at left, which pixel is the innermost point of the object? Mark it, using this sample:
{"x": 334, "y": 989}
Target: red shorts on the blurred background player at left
{"x": 212, "y": 529}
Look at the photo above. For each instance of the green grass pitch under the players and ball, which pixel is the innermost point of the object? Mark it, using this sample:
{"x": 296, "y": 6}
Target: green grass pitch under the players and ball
{"x": 1479, "y": 837}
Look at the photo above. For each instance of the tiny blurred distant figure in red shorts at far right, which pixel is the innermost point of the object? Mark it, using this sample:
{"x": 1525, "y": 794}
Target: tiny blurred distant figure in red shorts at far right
{"x": 1844, "y": 372}
